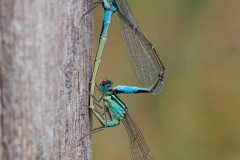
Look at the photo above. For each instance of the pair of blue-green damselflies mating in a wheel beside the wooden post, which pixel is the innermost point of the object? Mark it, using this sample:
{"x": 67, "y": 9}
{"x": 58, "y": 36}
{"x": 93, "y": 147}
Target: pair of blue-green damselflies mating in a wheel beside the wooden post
{"x": 146, "y": 65}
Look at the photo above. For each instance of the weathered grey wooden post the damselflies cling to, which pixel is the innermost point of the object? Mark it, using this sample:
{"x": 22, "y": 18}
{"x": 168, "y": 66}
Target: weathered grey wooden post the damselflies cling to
{"x": 45, "y": 66}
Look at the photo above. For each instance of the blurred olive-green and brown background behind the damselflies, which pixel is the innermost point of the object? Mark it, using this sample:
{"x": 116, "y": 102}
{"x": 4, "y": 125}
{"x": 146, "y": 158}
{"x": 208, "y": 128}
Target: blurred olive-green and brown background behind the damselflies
{"x": 197, "y": 116}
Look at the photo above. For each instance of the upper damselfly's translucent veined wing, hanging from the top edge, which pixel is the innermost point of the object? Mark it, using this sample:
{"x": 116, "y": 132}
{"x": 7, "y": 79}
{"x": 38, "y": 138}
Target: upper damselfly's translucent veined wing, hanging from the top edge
{"x": 142, "y": 54}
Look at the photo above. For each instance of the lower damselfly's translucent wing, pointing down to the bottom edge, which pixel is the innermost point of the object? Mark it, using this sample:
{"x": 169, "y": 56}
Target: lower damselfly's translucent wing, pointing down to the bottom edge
{"x": 138, "y": 146}
